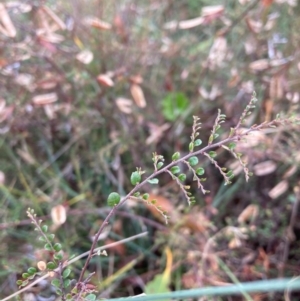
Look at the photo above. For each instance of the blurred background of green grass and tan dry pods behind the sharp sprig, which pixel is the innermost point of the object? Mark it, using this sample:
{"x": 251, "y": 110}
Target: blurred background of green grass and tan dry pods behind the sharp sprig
{"x": 90, "y": 89}
